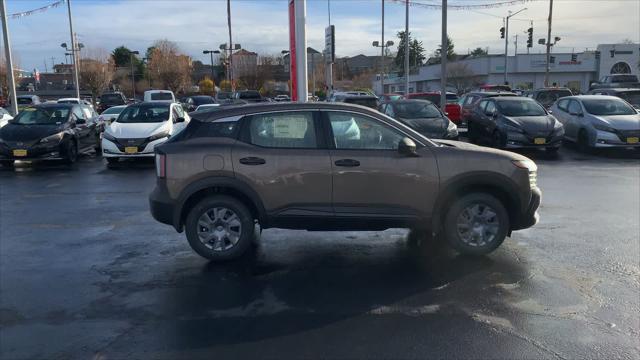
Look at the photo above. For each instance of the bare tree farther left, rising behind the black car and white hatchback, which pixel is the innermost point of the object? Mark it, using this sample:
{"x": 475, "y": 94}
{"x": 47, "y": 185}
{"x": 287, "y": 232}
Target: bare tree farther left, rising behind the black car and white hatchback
{"x": 96, "y": 72}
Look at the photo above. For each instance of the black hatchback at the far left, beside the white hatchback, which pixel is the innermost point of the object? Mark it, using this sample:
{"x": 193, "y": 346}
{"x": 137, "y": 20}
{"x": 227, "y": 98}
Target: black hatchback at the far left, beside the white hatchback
{"x": 48, "y": 132}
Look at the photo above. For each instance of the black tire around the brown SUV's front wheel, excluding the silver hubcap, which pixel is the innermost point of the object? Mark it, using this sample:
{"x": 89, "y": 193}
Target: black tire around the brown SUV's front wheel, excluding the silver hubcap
{"x": 484, "y": 201}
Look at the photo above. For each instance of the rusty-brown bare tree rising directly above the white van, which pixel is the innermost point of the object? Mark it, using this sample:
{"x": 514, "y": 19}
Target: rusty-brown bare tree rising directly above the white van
{"x": 168, "y": 67}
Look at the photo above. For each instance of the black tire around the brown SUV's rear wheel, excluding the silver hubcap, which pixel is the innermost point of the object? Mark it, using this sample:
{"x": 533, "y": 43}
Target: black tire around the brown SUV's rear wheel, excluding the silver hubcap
{"x": 247, "y": 230}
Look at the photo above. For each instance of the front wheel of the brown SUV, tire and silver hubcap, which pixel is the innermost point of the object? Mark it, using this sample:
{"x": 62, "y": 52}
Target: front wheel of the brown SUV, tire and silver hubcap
{"x": 476, "y": 224}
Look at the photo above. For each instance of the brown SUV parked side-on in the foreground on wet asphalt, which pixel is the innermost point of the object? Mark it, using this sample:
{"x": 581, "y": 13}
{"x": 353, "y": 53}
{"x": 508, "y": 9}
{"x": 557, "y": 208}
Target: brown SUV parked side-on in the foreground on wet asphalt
{"x": 321, "y": 166}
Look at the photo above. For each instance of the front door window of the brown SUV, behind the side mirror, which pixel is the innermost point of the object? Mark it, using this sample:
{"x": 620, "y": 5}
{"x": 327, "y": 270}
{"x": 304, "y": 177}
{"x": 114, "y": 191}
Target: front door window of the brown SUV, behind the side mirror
{"x": 352, "y": 131}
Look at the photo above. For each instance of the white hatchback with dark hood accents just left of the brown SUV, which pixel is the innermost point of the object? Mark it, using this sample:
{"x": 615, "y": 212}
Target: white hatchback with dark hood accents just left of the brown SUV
{"x": 140, "y": 128}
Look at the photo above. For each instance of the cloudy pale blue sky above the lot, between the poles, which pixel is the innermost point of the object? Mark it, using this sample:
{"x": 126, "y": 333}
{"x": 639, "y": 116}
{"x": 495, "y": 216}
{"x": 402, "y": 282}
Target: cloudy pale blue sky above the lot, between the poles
{"x": 261, "y": 25}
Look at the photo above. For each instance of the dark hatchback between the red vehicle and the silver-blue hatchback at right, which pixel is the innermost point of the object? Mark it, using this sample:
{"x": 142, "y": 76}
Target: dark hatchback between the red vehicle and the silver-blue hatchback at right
{"x": 515, "y": 122}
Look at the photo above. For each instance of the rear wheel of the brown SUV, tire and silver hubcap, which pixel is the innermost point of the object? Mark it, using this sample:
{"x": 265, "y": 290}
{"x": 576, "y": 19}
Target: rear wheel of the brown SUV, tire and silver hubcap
{"x": 220, "y": 228}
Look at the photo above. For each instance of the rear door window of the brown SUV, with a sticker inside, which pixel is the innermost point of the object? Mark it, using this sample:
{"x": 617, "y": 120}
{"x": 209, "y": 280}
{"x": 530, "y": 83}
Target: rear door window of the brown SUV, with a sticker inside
{"x": 283, "y": 130}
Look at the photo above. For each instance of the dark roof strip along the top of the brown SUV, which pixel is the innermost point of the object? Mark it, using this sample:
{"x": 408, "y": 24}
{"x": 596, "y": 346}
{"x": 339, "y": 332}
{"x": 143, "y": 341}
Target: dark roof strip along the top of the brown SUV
{"x": 254, "y": 108}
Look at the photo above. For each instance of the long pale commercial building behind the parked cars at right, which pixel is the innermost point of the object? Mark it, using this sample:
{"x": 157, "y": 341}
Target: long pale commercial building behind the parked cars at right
{"x": 573, "y": 70}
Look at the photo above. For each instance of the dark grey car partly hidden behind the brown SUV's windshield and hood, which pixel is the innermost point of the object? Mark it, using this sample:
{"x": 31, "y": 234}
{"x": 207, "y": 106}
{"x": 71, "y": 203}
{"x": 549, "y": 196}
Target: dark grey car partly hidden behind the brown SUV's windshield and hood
{"x": 422, "y": 116}
